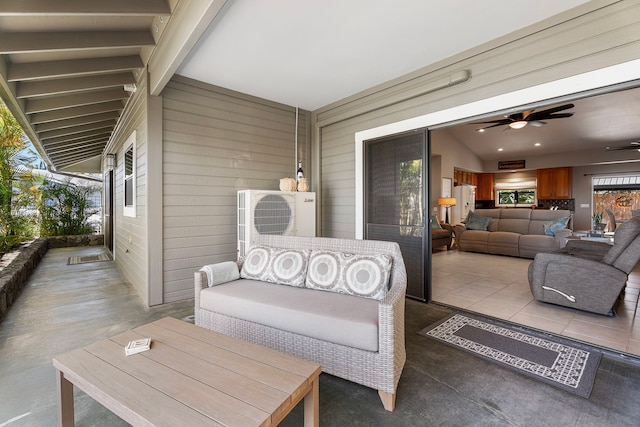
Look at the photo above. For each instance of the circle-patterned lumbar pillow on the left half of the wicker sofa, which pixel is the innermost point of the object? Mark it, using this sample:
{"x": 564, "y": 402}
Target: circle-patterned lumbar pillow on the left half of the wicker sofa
{"x": 274, "y": 265}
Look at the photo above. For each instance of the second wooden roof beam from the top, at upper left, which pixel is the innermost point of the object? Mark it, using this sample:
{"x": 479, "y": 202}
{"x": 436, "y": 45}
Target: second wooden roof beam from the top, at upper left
{"x": 29, "y": 42}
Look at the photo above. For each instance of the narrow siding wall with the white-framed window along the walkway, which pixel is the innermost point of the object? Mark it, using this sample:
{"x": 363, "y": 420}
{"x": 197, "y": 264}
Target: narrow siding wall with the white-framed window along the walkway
{"x": 130, "y": 234}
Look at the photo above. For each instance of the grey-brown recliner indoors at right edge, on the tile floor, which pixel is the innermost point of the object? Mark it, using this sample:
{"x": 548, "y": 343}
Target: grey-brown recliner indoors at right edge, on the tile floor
{"x": 587, "y": 275}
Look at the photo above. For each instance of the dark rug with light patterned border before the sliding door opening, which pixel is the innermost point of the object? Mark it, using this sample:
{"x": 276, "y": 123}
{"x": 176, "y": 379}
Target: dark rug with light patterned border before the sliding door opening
{"x": 565, "y": 365}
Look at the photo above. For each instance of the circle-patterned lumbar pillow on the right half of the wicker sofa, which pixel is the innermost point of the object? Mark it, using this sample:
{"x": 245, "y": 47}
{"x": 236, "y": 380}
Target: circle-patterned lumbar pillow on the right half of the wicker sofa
{"x": 351, "y": 274}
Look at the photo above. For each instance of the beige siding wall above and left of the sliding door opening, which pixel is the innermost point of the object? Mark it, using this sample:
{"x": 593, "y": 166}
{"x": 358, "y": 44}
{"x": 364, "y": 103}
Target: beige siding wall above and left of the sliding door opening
{"x": 594, "y": 36}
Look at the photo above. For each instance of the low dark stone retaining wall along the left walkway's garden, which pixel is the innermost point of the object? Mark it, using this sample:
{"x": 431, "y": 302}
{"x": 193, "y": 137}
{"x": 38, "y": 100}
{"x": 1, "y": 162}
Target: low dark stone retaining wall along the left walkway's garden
{"x": 15, "y": 275}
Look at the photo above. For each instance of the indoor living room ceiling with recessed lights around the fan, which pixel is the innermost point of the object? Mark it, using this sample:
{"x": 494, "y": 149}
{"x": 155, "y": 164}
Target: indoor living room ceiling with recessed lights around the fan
{"x": 601, "y": 121}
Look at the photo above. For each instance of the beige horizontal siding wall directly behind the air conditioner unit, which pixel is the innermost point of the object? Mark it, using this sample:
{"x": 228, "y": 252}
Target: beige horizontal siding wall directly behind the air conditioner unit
{"x": 216, "y": 142}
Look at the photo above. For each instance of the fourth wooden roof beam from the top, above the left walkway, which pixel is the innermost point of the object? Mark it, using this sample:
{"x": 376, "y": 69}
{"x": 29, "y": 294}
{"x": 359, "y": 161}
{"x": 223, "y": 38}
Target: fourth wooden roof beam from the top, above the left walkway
{"x": 73, "y": 84}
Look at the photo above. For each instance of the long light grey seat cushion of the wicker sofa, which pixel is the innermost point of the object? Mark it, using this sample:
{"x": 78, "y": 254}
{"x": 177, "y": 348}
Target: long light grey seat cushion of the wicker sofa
{"x": 328, "y": 316}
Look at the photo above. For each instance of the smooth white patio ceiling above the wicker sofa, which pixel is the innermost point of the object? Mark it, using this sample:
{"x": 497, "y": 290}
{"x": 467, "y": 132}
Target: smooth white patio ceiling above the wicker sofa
{"x": 314, "y": 52}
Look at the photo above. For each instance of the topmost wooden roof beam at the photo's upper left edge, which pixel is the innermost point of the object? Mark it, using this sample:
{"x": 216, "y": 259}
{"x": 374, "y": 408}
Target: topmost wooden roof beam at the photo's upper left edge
{"x": 84, "y": 7}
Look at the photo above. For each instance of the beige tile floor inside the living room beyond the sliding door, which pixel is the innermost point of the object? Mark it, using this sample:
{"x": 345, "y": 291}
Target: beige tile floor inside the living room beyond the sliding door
{"x": 497, "y": 286}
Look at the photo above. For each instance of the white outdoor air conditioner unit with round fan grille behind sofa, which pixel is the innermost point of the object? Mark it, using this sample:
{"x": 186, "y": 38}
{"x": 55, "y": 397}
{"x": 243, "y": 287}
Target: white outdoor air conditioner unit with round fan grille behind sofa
{"x": 282, "y": 213}
